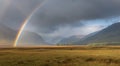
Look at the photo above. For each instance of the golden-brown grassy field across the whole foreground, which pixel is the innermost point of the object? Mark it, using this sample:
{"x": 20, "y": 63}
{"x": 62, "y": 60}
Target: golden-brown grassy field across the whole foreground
{"x": 60, "y": 56}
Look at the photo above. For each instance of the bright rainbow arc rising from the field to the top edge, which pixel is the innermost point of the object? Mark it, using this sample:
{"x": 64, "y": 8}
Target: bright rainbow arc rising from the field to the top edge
{"x": 25, "y": 23}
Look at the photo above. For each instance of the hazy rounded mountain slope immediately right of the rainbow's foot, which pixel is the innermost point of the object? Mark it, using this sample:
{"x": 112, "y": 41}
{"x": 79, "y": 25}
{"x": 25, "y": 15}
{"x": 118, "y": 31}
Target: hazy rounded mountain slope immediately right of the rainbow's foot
{"x": 31, "y": 38}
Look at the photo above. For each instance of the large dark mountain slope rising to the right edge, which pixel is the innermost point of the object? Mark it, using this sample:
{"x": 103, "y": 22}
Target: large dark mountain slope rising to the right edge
{"x": 109, "y": 35}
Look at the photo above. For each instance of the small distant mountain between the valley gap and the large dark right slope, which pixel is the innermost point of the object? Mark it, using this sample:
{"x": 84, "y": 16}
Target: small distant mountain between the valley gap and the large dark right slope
{"x": 71, "y": 39}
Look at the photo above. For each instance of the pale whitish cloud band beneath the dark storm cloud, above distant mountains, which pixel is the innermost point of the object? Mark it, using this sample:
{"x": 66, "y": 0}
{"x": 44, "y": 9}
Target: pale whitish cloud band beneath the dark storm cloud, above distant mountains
{"x": 68, "y": 31}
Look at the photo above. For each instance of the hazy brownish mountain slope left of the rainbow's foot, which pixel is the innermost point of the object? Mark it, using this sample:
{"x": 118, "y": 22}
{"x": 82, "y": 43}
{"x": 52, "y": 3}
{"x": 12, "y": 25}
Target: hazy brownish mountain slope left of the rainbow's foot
{"x": 7, "y": 35}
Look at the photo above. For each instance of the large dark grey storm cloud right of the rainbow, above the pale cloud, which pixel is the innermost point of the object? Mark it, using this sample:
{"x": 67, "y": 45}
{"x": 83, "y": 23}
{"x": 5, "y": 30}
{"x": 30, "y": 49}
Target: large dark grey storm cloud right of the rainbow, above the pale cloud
{"x": 56, "y": 13}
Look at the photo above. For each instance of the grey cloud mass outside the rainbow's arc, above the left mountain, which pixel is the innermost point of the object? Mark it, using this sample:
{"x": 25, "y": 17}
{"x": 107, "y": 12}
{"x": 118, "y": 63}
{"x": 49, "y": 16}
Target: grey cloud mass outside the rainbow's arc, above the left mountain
{"x": 14, "y": 12}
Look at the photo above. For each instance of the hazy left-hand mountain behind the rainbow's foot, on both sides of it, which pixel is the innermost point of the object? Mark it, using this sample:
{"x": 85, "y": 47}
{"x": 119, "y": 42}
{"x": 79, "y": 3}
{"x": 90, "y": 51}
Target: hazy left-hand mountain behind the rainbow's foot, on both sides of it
{"x": 8, "y": 35}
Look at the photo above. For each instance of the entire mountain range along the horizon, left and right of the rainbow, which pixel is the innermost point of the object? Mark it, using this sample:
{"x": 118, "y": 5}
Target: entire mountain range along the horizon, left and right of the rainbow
{"x": 109, "y": 35}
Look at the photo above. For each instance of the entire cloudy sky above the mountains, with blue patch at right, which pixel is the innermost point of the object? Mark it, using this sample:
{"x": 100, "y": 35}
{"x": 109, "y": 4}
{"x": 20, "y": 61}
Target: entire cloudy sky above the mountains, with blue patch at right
{"x": 58, "y": 19}
